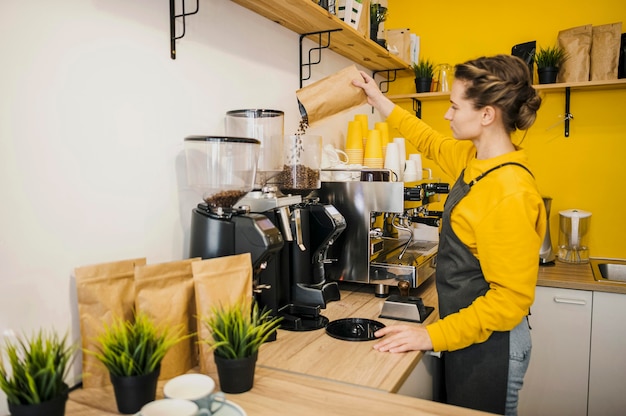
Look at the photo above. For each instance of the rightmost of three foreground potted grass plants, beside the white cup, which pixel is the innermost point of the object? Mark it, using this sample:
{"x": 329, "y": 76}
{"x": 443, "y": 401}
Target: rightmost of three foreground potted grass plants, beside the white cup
{"x": 237, "y": 332}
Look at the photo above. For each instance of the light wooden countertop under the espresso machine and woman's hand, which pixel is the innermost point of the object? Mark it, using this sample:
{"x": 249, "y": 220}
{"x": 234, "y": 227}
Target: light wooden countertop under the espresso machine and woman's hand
{"x": 317, "y": 354}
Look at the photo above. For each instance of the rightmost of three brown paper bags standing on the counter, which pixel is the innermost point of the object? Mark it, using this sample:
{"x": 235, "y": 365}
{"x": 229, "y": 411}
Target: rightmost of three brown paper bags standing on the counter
{"x": 219, "y": 281}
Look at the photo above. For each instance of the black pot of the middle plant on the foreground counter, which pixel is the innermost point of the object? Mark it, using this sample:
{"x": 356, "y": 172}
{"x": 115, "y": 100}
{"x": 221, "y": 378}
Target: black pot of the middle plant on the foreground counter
{"x": 133, "y": 392}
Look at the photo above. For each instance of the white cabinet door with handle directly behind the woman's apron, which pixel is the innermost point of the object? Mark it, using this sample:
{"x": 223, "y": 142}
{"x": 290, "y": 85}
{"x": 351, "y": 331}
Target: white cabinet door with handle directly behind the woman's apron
{"x": 557, "y": 379}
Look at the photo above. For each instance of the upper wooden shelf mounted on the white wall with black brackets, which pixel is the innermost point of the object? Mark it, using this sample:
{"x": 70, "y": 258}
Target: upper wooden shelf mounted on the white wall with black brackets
{"x": 305, "y": 16}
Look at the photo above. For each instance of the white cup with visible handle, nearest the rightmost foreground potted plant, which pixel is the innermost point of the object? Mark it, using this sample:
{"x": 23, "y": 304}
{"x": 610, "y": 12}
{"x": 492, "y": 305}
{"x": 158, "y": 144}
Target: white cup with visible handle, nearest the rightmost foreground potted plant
{"x": 195, "y": 387}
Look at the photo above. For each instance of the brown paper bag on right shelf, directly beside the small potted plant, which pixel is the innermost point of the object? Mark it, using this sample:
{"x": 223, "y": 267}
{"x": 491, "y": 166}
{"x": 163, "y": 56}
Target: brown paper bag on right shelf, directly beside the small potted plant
{"x": 577, "y": 44}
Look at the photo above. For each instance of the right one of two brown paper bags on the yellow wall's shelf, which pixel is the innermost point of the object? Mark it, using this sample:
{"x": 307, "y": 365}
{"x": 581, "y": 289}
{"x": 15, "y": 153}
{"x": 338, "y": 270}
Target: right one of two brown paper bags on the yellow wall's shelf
{"x": 605, "y": 51}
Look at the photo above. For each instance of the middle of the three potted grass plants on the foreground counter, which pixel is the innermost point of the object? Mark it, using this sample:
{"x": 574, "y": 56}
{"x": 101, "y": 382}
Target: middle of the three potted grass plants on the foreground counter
{"x": 132, "y": 352}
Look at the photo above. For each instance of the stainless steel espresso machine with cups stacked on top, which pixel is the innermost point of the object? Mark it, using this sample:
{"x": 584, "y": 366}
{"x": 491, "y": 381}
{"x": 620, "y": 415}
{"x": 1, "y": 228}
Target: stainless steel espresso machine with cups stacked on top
{"x": 378, "y": 245}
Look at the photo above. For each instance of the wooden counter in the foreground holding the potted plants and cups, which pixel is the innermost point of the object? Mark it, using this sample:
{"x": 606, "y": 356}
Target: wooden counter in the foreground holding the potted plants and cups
{"x": 278, "y": 392}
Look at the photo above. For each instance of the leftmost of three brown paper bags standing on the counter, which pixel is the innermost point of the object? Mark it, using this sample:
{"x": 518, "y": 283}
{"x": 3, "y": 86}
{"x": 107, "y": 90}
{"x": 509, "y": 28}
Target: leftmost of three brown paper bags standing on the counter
{"x": 105, "y": 292}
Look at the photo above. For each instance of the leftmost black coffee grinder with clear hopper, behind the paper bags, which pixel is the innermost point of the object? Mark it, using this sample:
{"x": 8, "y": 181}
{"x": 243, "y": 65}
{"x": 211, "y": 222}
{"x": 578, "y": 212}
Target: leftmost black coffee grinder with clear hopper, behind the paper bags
{"x": 223, "y": 169}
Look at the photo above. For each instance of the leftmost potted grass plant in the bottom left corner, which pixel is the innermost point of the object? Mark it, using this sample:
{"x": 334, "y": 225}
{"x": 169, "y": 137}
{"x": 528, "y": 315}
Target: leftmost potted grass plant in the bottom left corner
{"x": 33, "y": 375}
